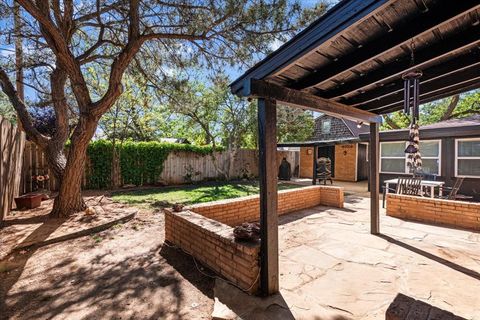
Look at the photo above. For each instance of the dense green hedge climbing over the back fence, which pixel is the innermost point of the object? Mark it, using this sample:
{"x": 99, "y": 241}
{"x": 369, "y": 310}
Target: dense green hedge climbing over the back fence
{"x": 141, "y": 163}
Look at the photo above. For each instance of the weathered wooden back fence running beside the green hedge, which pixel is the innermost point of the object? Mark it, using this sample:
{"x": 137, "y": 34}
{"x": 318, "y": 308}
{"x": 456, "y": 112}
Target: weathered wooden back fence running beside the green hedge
{"x": 179, "y": 167}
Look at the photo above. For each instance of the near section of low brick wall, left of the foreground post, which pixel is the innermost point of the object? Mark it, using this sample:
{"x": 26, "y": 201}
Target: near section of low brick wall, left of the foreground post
{"x": 213, "y": 244}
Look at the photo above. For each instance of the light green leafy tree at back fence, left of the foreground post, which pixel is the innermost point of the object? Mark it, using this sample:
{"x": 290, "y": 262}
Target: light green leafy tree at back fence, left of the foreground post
{"x": 220, "y": 118}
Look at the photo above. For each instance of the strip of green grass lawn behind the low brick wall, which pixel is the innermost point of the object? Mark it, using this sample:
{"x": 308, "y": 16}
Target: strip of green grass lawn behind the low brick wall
{"x": 191, "y": 194}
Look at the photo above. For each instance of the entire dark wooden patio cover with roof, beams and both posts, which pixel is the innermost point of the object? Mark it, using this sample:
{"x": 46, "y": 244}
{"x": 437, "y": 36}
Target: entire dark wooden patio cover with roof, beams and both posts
{"x": 349, "y": 64}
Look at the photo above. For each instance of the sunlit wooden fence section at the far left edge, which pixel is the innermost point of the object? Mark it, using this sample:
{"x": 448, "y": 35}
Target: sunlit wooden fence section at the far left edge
{"x": 12, "y": 142}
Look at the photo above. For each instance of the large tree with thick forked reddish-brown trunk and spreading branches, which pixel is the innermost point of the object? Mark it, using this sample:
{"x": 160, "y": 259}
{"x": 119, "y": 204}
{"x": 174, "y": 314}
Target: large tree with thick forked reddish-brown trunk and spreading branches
{"x": 63, "y": 39}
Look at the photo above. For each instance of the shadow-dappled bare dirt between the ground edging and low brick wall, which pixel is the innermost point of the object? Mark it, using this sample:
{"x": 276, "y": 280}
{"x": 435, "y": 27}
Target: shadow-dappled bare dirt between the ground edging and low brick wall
{"x": 125, "y": 272}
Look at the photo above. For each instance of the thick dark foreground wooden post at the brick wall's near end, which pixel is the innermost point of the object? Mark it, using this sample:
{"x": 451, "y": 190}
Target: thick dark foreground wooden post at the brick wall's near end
{"x": 267, "y": 145}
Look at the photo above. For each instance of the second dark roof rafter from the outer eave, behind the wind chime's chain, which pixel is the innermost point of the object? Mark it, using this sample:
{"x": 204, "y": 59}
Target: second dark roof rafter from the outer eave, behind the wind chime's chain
{"x": 425, "y": 57}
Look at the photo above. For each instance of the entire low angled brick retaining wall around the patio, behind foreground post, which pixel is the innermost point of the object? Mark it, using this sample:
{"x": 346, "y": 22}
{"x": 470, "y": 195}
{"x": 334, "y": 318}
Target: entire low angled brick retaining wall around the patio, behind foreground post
{"x": 205, "y": 231}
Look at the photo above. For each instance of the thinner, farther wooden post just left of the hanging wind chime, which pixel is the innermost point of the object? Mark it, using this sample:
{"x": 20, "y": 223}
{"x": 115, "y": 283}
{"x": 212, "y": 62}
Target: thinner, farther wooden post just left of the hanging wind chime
{"x": 374, "y": 179}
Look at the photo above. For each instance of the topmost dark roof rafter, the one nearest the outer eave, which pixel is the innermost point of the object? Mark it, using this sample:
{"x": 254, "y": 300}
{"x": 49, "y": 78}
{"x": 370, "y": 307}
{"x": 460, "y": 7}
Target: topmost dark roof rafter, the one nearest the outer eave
{"x": 430, "y": 20}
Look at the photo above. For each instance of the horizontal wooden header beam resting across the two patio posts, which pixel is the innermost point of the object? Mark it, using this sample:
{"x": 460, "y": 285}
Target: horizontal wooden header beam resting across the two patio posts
{"x": 299, "y": 99}
